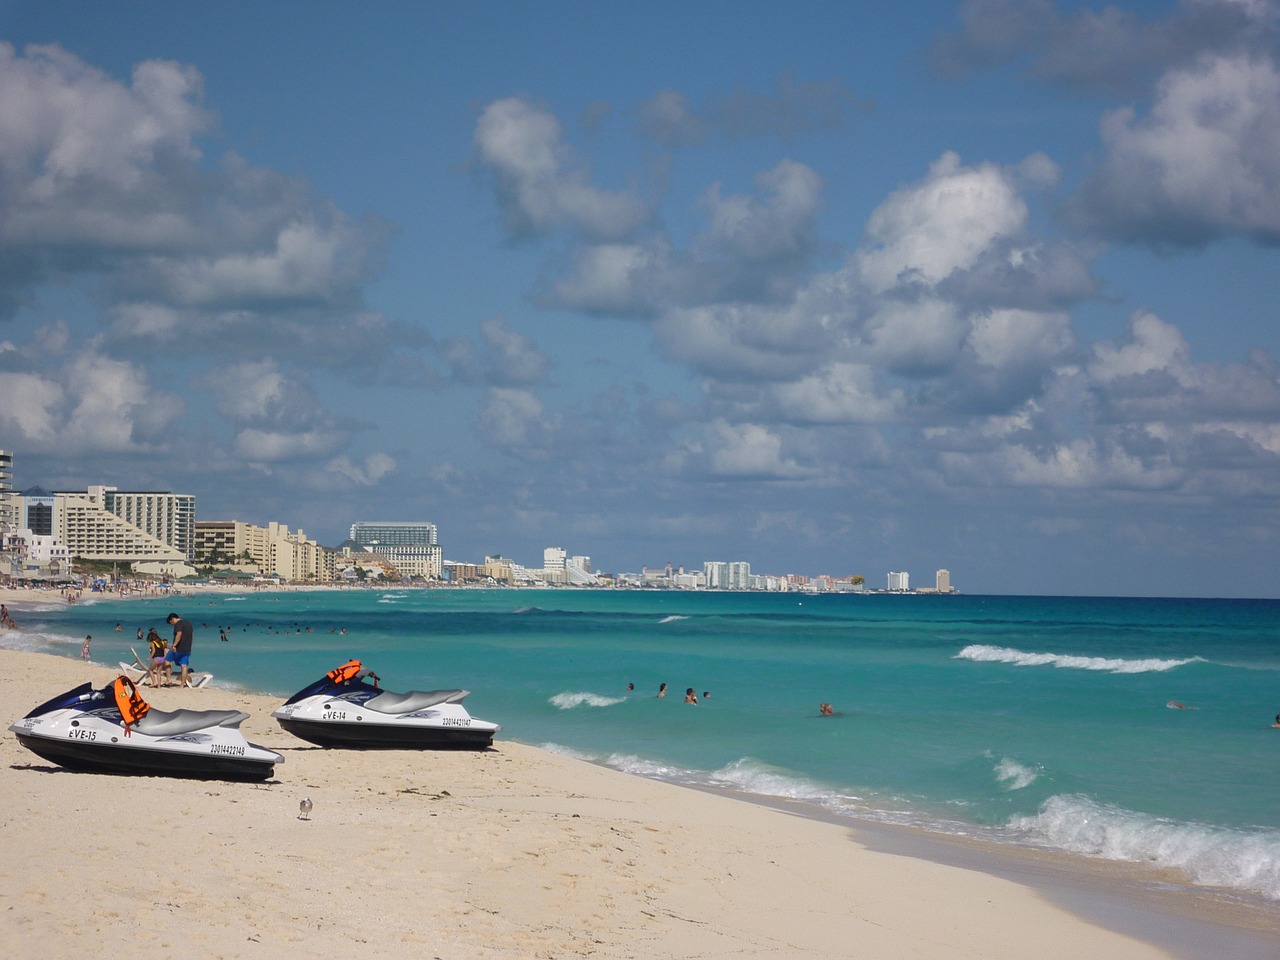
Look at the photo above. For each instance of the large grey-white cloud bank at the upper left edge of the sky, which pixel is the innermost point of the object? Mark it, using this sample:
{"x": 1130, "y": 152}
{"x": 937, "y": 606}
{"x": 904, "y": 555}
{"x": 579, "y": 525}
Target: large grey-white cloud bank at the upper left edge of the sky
{"x": 106, "y": 184}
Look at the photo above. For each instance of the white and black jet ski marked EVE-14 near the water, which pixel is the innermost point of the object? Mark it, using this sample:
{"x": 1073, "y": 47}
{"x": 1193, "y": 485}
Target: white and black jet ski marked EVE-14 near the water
{"x": 345, "y": 710}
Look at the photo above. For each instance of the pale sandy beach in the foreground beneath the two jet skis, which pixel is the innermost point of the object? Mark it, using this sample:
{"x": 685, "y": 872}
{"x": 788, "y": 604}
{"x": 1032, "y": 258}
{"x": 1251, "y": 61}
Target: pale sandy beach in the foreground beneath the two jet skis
{"x": 644, "y": 868}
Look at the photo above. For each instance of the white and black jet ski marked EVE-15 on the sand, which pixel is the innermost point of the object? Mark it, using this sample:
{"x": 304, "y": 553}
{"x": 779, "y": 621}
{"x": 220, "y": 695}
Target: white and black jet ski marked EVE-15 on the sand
{"x": 113, "y": 730}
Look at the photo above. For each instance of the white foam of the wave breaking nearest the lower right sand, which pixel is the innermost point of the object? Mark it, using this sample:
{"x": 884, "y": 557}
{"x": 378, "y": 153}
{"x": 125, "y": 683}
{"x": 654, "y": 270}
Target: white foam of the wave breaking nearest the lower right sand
{"x": 1247, "y": 861}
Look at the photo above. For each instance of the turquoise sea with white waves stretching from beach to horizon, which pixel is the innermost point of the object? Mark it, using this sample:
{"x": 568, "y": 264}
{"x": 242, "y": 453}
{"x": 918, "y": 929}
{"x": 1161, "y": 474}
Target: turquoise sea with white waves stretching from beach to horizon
{"x": 1032, "y": 721}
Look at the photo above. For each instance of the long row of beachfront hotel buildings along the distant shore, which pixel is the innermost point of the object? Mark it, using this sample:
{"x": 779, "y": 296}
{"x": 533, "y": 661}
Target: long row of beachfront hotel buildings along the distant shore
{"x": 45, "y": 536}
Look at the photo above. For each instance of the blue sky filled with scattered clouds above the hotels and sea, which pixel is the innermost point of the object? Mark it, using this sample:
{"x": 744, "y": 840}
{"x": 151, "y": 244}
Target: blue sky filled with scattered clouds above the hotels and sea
{"x": 985, "y": 286}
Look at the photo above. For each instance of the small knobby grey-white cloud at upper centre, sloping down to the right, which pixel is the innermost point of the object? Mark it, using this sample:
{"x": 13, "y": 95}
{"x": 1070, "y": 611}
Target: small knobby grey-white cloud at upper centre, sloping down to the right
{"x": 541, "y": 184}
